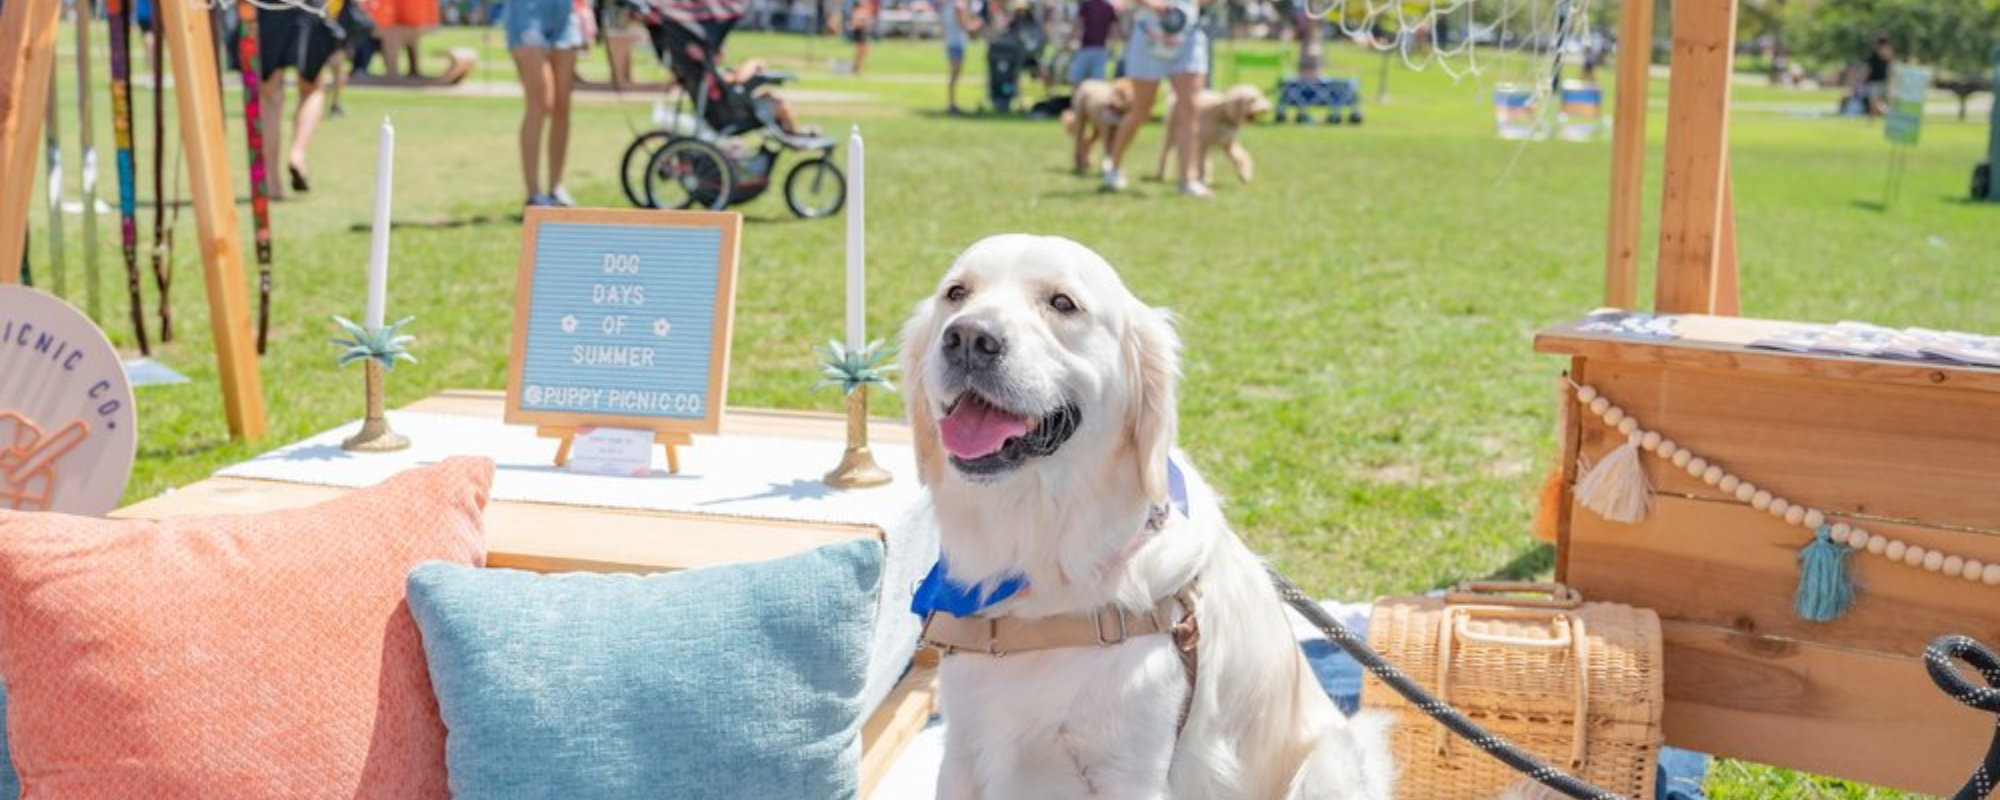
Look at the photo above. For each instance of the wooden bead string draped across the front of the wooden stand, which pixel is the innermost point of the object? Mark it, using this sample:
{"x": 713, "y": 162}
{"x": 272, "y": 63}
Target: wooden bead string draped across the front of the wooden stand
{"x": 1765, "y": 501}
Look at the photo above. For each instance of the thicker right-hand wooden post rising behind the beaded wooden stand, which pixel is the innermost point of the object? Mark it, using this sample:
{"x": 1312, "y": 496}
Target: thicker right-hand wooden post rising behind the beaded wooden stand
{"x": 1697, "y": 157}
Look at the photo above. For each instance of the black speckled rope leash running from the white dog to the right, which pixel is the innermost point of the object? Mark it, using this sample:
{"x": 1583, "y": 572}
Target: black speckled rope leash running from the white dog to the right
{"x": 1937, "y": 659}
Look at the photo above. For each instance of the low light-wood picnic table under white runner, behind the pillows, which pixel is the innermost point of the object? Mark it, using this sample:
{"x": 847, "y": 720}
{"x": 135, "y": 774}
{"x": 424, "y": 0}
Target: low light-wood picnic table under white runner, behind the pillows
{"x": 571, "y": 539}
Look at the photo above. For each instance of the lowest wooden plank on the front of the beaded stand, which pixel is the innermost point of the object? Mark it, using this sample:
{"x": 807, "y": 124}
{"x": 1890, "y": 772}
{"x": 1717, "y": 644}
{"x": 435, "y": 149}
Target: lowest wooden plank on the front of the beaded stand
{"x": 1817, "y": 709}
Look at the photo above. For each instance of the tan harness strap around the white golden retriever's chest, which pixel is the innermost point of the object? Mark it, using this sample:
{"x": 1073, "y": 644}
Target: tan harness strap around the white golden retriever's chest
{"x": 1107, "y": 627}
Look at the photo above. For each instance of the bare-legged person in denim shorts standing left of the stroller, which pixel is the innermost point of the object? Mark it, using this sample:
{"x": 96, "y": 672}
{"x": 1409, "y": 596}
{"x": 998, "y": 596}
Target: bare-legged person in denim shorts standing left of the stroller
{"x": 545, "y": 39}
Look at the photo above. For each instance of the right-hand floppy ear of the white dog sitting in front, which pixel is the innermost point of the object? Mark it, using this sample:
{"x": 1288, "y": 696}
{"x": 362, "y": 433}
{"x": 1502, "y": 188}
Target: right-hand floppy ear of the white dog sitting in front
{"x": 1153, "y": 367}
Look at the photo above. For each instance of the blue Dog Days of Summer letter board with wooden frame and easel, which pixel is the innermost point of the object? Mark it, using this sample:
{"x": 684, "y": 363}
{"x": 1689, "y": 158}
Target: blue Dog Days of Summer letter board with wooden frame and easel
{"x": 623, "y": 321}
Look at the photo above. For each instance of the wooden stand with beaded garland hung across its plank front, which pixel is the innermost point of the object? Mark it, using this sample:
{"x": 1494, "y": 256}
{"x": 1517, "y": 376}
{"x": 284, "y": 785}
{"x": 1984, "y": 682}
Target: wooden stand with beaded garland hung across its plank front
{"x": 1911, "y": 451}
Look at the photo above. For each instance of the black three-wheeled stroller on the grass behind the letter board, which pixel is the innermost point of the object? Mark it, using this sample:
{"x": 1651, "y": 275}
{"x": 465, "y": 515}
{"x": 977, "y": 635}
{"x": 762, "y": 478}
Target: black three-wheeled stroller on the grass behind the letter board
{"x": 727, "y": 151}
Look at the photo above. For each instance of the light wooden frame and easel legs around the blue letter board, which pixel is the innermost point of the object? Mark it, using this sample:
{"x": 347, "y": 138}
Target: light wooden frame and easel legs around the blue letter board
{"x": 669, "y": 433}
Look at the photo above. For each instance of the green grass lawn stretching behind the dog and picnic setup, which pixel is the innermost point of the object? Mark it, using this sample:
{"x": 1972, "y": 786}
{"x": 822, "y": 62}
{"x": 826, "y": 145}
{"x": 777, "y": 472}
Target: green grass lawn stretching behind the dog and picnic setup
{"x": 1359, "y": 371}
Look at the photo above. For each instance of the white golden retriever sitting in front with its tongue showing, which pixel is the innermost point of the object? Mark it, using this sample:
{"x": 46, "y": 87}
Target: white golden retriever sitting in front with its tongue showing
{"x": 1043, "y": 403}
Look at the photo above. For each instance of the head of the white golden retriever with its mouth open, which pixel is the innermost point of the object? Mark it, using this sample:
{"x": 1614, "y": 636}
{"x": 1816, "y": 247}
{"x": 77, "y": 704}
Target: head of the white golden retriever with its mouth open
{"x": 1033, "y": 355}
